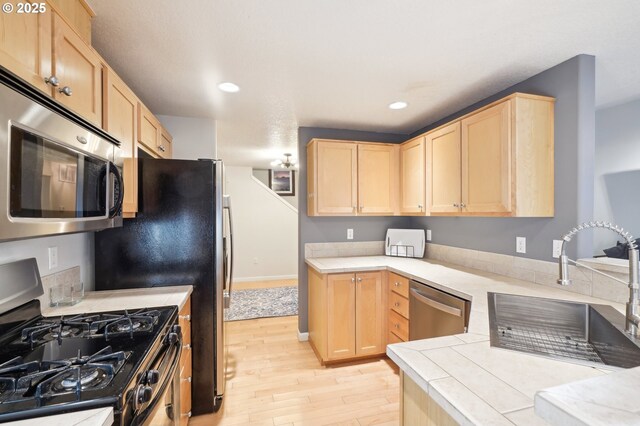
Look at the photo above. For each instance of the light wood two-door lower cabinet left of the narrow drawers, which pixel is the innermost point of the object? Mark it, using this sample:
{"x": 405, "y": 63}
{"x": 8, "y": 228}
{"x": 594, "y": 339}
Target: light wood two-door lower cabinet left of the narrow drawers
{"x": 347, "y": 315}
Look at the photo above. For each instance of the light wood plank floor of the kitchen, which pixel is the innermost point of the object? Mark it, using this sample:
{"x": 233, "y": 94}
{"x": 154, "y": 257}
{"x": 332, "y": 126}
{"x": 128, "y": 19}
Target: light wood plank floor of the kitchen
{"x": 276, "y": 380}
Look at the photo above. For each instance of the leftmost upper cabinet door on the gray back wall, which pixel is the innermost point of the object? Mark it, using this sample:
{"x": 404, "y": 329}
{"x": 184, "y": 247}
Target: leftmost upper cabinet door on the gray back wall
{"x": 337, "y": 178}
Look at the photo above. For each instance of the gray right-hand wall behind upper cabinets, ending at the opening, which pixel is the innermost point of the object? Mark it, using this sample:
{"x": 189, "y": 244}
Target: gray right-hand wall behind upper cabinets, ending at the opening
{"x": 572, "y": 83}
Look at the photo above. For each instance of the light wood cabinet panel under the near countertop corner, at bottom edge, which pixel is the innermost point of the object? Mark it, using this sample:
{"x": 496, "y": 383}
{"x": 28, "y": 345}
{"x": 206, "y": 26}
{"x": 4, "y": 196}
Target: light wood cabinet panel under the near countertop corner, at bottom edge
{"x": 417, "y": 408}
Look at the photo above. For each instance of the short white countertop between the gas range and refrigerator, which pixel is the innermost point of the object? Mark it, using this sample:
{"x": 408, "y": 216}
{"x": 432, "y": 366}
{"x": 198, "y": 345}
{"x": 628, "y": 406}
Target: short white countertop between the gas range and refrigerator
{"x": 113, "y": 300}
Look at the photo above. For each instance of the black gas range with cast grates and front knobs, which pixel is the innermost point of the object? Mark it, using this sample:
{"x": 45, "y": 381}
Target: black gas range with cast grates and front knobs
{"x": 123, "y": 359}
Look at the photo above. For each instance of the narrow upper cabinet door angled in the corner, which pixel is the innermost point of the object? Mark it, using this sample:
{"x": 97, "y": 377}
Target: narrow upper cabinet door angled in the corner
{"x": 412, "y": 176}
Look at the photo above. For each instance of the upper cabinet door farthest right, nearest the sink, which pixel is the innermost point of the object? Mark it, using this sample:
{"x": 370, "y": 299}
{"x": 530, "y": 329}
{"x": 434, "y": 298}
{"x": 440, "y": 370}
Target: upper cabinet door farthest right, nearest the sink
{"x": 486, "y": 161}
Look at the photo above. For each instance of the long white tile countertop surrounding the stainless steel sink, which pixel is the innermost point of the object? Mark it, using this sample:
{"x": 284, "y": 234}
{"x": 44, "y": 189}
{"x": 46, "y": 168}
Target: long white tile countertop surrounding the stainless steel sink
{"x": 477, "y": 384}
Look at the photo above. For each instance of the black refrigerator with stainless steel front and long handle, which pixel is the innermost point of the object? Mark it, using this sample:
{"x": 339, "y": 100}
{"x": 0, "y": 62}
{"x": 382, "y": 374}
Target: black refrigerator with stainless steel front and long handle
{"x": 179, "y": 237}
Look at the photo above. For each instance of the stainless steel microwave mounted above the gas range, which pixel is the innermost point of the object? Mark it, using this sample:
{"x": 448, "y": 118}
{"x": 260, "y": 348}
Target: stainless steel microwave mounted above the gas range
{"x": 56, "y": 175}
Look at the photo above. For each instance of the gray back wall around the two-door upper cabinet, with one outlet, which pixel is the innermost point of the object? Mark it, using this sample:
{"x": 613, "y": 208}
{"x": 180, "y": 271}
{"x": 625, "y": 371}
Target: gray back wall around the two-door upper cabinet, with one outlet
{"x": 333, "y": 229}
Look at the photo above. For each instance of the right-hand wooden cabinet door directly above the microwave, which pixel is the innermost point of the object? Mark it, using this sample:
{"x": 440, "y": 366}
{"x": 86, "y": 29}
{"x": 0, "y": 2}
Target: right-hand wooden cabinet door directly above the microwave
{"x": 79, "y": 68}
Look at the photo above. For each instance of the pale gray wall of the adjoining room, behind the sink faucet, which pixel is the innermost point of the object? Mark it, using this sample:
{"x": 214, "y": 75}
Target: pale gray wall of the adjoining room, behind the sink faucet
{"x": 617, "y": 171}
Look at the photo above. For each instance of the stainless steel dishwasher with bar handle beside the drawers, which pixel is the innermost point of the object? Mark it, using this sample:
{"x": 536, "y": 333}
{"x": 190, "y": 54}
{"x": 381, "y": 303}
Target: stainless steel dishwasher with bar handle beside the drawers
{"x": 435, "y": 313}
